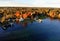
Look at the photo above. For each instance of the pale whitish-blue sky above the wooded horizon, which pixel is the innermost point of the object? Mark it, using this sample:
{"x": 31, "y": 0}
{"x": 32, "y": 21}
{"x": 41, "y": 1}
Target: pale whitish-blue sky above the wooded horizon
{"x": 31, "y": 3}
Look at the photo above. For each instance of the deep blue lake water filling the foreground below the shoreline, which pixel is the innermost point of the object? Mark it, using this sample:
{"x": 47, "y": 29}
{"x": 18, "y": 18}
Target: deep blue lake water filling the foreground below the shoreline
{"x": 48, "y": 30}
